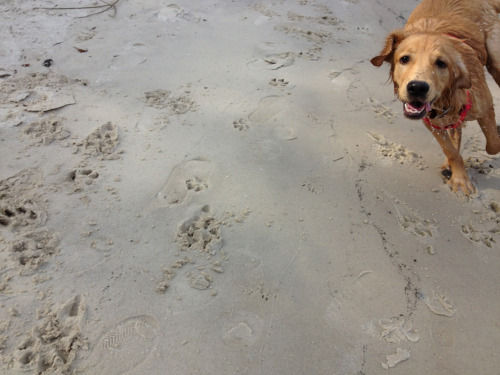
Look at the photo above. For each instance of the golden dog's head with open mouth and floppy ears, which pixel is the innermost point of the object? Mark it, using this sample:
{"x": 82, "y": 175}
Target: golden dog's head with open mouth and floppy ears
{"x": 424, "y": 68}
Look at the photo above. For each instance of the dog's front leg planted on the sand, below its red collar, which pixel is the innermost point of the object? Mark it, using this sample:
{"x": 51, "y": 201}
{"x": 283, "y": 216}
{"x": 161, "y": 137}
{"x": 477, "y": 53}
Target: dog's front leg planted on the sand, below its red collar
{"x": 459, "y": 179}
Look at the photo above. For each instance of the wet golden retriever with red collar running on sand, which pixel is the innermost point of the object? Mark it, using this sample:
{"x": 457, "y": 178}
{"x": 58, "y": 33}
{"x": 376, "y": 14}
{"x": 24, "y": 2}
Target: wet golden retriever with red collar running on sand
{"x": 437, "y": 66}
